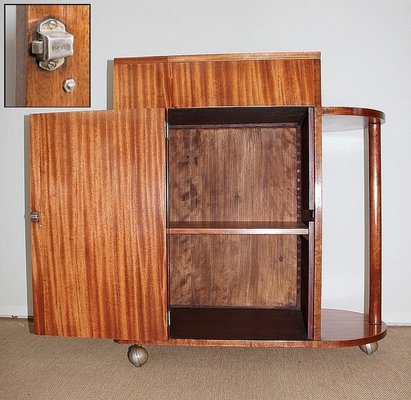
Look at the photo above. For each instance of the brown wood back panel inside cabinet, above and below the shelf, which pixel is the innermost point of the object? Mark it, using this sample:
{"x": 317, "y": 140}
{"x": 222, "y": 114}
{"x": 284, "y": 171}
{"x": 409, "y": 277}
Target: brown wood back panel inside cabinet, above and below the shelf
{"x": 242, "y": 173}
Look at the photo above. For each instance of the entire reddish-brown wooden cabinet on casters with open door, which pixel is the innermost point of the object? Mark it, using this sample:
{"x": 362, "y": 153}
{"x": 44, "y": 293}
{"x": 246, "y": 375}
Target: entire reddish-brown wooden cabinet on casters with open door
{"x": 191, "y": 213}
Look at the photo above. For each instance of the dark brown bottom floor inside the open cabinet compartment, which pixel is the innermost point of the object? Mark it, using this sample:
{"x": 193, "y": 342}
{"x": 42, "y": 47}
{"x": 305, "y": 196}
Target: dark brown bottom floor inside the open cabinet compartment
{"x": 237, "y": 324}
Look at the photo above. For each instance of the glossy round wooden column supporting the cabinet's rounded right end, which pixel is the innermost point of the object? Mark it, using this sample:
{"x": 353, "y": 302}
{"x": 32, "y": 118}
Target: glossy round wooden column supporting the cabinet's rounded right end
{"x": 374, "y": 170}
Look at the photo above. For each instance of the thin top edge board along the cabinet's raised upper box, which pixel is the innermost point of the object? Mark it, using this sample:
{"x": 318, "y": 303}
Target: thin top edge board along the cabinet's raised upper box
{"x": 221, "y": 57}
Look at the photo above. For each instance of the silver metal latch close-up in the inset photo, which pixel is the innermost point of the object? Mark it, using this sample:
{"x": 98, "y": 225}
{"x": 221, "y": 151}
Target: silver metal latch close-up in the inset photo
{"x": 52, "y": 44}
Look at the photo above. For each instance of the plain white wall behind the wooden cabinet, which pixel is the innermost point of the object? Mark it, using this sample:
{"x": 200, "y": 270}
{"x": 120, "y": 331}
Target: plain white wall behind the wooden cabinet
{"x": 366, "y": 61}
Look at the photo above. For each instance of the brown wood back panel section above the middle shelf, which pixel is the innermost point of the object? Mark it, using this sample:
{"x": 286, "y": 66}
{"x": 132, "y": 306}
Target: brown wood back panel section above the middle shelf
{"x": 233, "y": 174}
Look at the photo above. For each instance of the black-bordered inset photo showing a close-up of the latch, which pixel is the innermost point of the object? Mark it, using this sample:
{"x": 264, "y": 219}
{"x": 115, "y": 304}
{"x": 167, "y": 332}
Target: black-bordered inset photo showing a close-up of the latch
{"x": 47, "y": 55}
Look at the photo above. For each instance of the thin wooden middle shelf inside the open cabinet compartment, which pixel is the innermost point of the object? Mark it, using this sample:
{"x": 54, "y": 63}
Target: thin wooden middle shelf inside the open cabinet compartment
{"x": 237, "y": 228}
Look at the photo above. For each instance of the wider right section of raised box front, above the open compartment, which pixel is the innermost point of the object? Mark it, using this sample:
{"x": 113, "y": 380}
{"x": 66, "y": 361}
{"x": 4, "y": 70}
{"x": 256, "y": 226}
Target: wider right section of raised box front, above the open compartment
{"x": 244, "y": 83}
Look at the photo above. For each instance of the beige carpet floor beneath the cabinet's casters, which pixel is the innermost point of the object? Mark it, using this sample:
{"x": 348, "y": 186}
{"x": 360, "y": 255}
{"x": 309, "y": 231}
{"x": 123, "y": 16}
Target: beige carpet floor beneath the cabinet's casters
{"x": 33, "y": 367}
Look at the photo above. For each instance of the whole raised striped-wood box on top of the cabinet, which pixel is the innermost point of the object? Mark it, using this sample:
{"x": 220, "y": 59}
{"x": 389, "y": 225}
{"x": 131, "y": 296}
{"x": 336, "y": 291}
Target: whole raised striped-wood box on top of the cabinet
{"x": 218, "y": 80}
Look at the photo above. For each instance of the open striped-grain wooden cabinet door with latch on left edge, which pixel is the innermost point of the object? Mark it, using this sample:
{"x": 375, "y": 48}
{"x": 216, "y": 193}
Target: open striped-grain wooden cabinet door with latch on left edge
{"x": 99, "y": 246}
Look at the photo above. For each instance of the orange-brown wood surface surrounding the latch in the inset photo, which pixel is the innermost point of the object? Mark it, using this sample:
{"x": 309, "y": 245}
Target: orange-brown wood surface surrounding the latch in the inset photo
{"x": 39, "y": 88}
